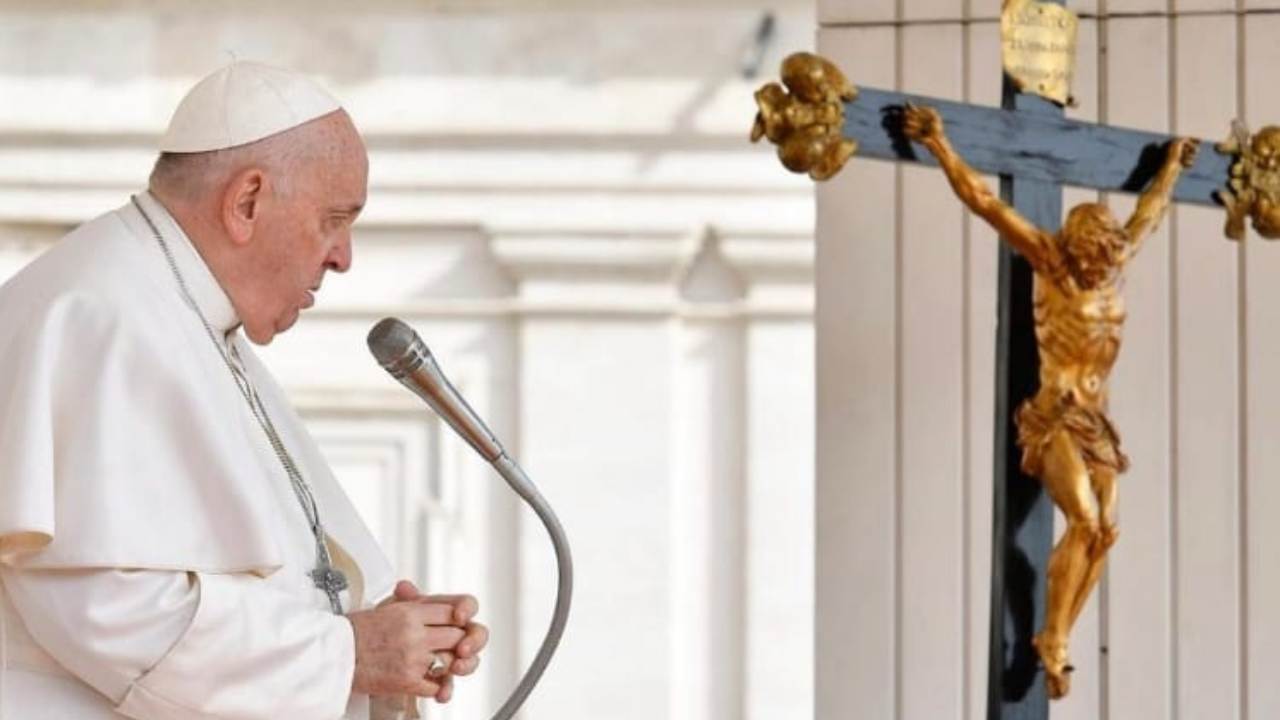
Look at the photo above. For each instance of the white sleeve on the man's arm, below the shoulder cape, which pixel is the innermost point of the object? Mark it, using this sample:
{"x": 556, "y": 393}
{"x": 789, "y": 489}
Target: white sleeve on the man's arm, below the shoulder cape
{"x": 186, "y": 646}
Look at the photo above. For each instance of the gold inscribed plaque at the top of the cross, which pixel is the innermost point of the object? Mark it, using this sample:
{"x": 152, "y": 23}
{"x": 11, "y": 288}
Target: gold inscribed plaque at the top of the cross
{"x": 1039, "y": 48}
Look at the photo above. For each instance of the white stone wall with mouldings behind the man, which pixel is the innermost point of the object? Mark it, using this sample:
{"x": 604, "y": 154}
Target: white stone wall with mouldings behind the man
{"x": 566, "y": 207}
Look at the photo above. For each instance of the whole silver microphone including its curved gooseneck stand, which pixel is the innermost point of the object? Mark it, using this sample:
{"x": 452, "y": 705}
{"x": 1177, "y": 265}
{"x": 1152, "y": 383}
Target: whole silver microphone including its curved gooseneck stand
{"x": 406, "y": 358}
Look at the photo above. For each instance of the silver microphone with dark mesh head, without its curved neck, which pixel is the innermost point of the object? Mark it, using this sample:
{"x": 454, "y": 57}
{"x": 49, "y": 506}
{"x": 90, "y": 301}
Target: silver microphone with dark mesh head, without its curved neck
{"x": 404, "y": 354}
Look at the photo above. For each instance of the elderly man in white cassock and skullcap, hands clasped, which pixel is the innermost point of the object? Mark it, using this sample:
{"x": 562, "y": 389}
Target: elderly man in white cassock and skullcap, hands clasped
{"x": 172, "y": 543}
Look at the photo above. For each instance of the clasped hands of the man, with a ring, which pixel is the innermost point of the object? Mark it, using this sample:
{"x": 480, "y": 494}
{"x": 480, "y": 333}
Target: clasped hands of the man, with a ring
{"x": 399, "y": 642}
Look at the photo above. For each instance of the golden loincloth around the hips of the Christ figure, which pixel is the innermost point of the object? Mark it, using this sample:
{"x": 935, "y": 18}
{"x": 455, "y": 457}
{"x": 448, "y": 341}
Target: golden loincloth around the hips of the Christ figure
{"x": 1040, "y": 420}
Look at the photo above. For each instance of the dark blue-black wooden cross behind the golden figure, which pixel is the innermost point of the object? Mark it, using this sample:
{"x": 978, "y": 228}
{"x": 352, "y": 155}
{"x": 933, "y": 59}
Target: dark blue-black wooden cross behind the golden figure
{"x": 1036, "y": 152}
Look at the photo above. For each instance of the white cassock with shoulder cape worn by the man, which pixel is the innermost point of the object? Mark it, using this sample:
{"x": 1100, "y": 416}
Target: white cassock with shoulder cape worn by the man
{"x": 154, "y": 557}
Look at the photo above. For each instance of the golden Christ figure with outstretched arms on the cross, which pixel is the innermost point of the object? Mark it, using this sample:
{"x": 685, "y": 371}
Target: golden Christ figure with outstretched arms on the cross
{"x": 1067, "y": 439}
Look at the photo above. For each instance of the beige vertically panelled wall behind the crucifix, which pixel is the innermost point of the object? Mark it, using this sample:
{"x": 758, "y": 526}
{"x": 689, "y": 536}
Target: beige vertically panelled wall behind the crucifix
{"x": 1183, "y": 625}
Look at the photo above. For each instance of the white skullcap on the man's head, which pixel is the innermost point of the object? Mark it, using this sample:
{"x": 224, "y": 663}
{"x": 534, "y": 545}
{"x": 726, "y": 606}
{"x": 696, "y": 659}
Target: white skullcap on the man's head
{"x": 244, "y": 103}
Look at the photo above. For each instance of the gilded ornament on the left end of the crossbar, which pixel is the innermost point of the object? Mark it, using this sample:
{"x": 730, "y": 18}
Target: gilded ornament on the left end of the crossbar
{"x": 806, "y": 116}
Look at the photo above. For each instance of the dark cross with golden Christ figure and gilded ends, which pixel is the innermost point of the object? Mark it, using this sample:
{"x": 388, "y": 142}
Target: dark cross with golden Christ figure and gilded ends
{"x": 1059, "y": 311}
